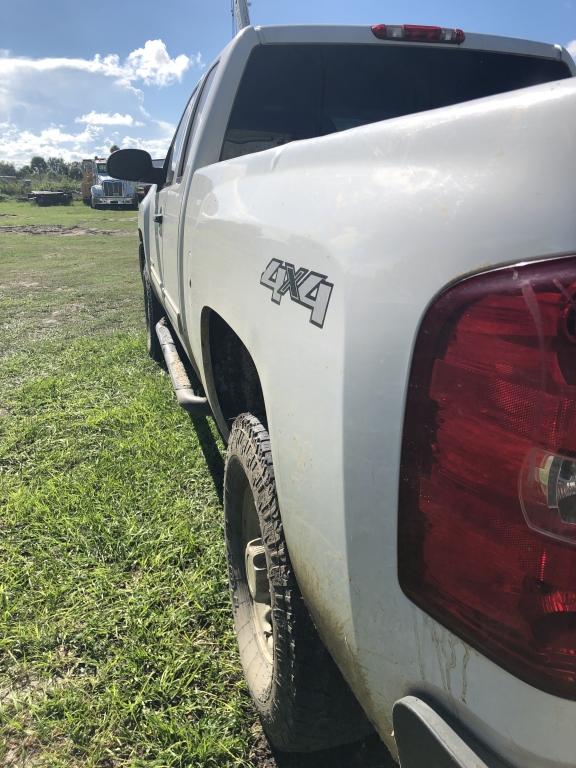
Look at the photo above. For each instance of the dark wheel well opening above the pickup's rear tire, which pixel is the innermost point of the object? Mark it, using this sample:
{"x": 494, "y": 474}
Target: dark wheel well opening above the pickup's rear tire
{"x": 234, "y": 375}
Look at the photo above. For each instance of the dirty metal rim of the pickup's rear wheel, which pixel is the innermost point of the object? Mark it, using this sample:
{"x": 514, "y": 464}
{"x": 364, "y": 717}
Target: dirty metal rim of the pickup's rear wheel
{"x": 256, "y": 573}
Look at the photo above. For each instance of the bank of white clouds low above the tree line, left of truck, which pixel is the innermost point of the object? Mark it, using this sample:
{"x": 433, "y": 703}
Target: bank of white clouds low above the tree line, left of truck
{"x": 70, "y": 107}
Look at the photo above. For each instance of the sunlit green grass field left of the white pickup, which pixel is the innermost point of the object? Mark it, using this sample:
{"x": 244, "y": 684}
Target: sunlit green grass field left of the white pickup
{"x": 116, "y": 646}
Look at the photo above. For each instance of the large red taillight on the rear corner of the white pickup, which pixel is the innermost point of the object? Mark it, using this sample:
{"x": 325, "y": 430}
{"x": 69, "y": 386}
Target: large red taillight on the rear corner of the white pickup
{"x": 487, "y": 523}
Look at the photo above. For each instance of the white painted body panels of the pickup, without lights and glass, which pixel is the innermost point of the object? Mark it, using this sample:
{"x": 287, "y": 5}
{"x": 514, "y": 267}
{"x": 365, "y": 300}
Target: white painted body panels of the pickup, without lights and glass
{"x": 391, "y": 213}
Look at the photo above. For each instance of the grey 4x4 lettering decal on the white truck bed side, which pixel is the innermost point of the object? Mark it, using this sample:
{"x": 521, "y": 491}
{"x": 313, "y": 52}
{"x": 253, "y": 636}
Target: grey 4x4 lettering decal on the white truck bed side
{"x": 307, "y": 288}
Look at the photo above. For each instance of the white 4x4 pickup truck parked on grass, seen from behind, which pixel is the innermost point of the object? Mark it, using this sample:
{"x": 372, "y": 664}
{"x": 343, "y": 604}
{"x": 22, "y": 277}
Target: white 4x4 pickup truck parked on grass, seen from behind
{"x": 363, "y": 240}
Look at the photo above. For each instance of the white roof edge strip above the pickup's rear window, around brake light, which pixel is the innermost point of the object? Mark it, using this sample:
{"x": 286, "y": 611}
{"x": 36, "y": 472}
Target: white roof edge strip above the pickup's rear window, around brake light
{"x": 363, "y": 34}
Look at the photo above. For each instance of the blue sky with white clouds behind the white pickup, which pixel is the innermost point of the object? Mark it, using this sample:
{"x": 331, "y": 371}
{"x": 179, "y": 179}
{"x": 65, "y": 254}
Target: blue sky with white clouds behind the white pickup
{"x": 71, "y": 86}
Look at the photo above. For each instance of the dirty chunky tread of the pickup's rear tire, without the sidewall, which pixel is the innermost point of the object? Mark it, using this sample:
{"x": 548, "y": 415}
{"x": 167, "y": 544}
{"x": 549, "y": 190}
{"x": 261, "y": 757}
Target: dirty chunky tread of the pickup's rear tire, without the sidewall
{"x": 310, "y": 706}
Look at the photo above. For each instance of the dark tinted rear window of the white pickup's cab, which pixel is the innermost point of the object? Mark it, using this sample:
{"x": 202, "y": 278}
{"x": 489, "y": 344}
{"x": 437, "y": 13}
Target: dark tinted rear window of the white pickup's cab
{"x": 291, "y": 92}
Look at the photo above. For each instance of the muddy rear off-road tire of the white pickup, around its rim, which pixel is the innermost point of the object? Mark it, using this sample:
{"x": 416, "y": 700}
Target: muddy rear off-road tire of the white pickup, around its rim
{"x": 302, "y": 700}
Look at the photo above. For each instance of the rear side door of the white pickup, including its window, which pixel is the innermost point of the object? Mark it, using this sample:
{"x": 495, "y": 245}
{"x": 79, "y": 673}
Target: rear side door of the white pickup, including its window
{"x": 170, "y": 200}
